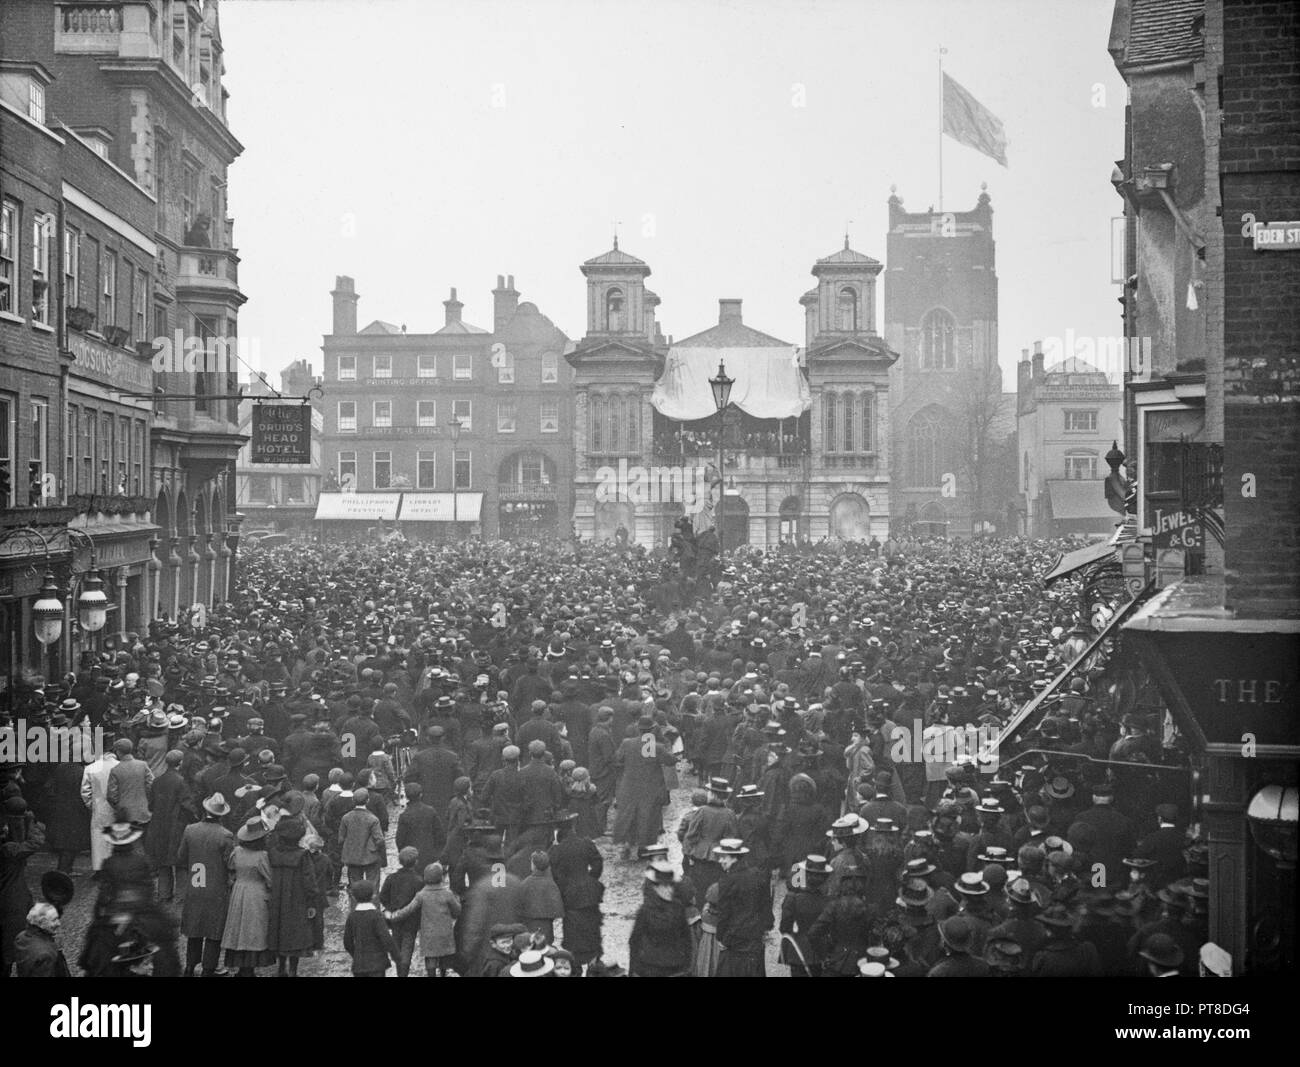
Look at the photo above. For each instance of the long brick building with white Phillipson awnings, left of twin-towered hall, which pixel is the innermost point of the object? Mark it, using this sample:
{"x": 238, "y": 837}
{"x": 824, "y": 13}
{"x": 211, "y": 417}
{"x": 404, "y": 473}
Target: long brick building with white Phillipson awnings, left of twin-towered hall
{"x": 392, "y": 400}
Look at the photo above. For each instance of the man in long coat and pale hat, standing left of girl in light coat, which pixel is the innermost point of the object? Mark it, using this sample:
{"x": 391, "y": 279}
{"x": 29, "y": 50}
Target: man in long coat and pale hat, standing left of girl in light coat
{"x": 203, "y": 856}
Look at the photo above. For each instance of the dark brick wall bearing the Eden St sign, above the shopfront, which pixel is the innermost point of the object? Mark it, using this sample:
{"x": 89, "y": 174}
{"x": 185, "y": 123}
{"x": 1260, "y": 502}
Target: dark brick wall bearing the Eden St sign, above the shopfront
{"x": 1260, "y": 166}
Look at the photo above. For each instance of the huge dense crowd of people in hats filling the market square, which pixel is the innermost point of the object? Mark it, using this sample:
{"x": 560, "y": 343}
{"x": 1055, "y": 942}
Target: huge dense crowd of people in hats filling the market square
{"x": 435, "y": 739}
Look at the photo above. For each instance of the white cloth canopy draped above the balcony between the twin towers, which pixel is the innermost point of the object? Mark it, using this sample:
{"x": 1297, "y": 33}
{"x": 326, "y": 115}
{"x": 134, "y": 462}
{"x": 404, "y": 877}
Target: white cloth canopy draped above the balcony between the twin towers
{"x": 769, "y": 383}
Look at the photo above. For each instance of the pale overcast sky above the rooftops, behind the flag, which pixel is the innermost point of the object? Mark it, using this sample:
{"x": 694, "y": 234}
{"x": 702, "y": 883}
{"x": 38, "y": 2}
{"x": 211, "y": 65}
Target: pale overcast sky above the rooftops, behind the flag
{"x": 422, "y": 145}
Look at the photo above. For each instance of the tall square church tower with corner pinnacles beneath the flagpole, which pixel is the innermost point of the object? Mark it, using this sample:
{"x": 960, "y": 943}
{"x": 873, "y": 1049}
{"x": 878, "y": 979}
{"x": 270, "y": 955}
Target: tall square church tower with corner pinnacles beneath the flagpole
{"x": 946, "y": 389}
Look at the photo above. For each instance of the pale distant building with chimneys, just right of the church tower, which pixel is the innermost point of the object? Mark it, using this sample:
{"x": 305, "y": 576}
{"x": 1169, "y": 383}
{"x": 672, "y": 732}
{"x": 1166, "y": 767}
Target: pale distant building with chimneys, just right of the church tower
{"x": 1068, "y": 417}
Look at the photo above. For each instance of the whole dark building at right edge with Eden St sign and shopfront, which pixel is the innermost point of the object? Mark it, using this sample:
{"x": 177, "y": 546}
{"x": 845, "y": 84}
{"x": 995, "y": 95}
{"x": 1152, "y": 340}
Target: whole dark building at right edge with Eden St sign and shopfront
{"x": 1211, "y": 154}
